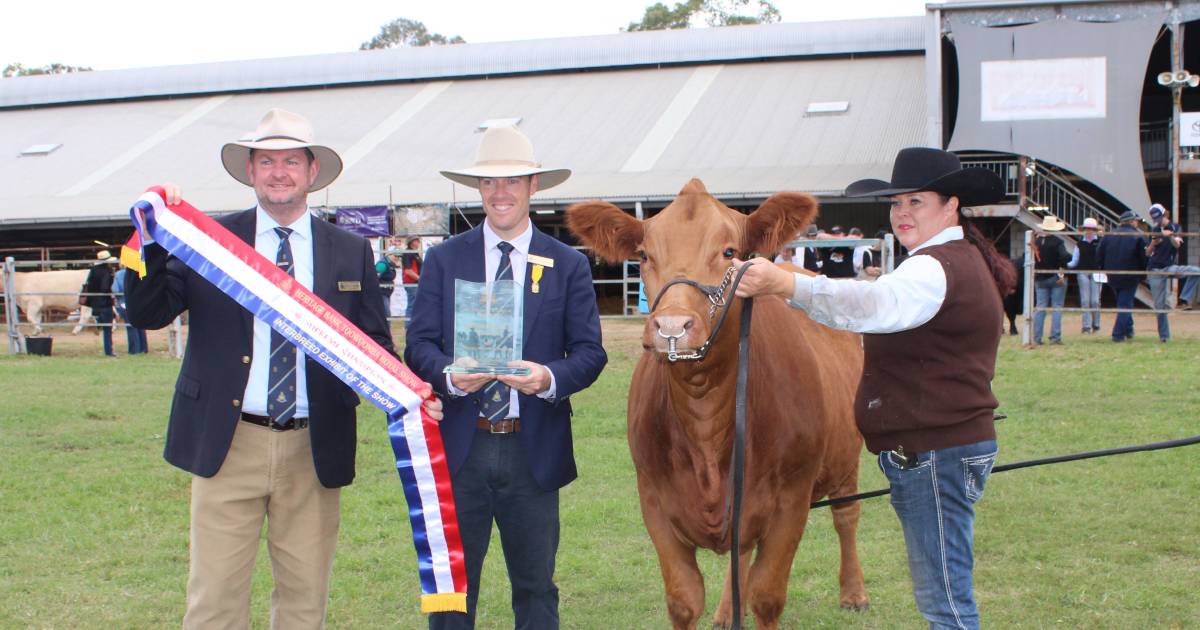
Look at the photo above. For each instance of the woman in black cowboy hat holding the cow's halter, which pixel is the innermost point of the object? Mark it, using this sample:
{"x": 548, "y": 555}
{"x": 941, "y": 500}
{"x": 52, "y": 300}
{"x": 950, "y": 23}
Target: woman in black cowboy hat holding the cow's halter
{"x": 932, "y": 331}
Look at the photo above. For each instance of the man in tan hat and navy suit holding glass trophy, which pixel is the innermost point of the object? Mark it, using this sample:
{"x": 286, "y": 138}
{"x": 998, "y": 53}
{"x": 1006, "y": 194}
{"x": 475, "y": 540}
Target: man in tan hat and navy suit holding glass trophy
{"x": 508, "y": 439}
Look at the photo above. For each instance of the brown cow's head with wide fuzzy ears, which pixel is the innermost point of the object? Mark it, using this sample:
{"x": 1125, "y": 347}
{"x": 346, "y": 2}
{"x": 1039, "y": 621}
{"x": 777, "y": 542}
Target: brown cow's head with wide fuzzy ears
{"x": 694, "y": 238}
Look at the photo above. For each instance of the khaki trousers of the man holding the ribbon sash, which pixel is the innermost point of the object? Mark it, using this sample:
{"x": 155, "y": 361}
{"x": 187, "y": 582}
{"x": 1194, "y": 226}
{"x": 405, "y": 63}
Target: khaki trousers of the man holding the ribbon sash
{"x": 266, "y": 475}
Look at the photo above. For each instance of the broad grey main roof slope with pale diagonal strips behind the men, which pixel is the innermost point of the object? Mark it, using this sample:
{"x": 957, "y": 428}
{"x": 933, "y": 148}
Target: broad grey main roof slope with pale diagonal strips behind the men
{"x": 745, "y": 134}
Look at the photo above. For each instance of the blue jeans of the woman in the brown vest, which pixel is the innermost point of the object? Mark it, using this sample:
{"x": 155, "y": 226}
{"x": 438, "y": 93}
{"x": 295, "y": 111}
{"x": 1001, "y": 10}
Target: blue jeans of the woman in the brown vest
{"x": 935, "y": 503}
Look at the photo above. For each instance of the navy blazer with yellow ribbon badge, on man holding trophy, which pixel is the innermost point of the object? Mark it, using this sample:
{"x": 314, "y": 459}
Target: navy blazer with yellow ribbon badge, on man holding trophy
{"x": 562, "y": 332}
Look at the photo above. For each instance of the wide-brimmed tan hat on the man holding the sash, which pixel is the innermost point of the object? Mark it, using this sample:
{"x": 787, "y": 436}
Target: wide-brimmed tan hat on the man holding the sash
{"x": 281, "y": 130}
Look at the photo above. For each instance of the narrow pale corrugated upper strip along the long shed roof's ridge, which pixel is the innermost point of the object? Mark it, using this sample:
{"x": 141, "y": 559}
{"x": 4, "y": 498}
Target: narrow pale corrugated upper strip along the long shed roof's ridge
{"x": 633, "y": 50}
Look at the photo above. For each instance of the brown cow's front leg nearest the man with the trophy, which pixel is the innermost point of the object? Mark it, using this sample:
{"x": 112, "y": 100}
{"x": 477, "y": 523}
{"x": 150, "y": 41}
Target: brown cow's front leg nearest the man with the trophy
{"x": 682, "y": 580}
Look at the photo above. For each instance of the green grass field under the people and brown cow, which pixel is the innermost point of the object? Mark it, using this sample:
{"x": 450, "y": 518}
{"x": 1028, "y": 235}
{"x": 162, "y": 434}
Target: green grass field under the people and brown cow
{"x": 94, "y": 529}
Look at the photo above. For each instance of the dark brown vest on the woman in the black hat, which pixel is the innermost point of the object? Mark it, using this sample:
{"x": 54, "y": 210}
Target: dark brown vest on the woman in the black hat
{"x": 931, "y": 388}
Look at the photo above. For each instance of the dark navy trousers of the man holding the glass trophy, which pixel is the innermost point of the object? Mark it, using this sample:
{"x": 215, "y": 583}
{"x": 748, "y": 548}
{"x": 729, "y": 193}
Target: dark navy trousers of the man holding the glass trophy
{"x": 495, "y": 483}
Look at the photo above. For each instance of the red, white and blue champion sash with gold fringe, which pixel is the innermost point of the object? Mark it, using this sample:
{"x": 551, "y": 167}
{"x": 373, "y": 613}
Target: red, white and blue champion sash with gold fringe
{"x": 338, "y": 345}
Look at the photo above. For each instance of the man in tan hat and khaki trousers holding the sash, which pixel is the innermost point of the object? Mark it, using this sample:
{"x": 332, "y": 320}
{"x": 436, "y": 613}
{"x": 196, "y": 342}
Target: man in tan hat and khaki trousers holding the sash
{"x": 267, "y": 433}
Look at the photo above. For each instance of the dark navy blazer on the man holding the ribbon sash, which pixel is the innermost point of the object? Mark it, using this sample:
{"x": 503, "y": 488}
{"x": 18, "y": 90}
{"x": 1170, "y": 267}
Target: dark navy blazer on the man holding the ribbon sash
{"x": 213, "y": 379}
